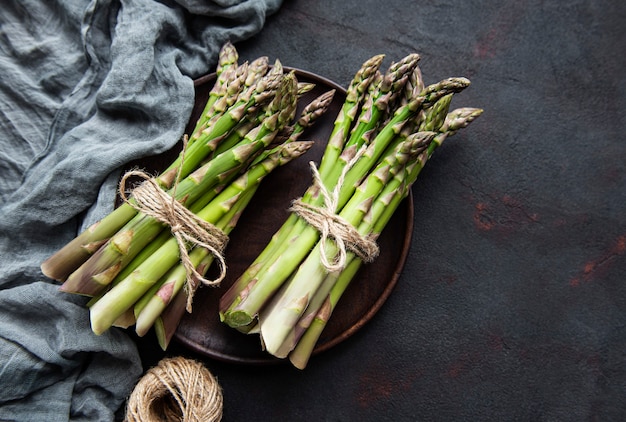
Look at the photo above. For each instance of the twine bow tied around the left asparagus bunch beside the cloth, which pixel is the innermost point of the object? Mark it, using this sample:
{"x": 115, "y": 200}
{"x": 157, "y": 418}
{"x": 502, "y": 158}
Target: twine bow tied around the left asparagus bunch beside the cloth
{"x": 186, "y": 227}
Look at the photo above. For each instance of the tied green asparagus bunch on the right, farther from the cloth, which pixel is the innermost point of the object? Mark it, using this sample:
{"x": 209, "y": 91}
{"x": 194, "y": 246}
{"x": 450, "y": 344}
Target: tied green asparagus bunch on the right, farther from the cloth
{"x": 388, "y": 128}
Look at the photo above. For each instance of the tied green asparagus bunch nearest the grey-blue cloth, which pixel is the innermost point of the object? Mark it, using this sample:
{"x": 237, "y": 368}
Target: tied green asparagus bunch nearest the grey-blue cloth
{"x": 133, "y": 265}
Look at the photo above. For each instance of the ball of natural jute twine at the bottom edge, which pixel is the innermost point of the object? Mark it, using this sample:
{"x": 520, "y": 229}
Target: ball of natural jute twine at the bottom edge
{"x": 177, "y": 389}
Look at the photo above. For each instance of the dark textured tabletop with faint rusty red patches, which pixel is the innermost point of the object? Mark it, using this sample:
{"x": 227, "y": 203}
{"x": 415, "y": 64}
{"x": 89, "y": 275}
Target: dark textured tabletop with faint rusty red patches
{"x": 512, "y": 305}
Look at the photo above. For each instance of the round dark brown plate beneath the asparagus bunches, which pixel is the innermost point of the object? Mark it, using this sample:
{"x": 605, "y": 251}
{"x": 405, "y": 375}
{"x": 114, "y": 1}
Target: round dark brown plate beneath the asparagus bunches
{"x": 202, "y": 331}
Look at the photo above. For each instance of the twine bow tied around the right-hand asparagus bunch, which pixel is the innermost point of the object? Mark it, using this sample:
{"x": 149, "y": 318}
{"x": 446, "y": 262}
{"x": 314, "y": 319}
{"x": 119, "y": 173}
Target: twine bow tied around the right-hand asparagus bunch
{"x": 332, "y": 226}
